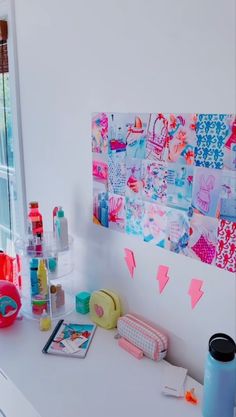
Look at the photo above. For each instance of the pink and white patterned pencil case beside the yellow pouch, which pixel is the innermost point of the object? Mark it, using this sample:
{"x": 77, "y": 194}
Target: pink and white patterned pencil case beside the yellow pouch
{"x": 143, "y": 335}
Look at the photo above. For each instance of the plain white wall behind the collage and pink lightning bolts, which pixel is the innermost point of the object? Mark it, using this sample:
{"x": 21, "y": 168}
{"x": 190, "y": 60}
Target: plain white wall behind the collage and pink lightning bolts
{"x": 76, "y": 57}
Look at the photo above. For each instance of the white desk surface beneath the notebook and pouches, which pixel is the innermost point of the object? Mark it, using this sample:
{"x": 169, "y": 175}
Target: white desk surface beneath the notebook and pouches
{"x": 109, "y": 382}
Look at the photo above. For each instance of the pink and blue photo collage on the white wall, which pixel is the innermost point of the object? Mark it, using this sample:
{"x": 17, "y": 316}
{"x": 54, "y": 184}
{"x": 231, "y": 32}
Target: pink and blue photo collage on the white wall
{"x": 170, "y": 180}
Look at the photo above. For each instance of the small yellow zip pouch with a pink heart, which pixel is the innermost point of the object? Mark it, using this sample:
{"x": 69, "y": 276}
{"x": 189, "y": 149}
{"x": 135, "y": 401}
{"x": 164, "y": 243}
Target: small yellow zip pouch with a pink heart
{"x": 105, "y": 308}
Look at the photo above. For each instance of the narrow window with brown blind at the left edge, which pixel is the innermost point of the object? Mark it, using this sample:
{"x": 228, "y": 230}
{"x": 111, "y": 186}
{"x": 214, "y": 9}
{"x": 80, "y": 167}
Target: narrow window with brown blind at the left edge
{"x": 11, "y": 174}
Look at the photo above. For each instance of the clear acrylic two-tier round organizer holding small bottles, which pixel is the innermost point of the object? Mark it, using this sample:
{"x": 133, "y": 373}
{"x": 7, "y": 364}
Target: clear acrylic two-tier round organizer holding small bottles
{"x": 45, "y": 275}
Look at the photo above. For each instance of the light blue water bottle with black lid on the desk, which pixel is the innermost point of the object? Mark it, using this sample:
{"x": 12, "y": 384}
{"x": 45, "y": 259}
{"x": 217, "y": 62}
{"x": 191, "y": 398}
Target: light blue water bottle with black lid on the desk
{"x": 220, "y": 377}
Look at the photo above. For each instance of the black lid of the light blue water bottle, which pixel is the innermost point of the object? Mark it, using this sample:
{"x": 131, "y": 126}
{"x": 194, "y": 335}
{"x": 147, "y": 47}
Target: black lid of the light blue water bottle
{"x": 222, "y": 347}
